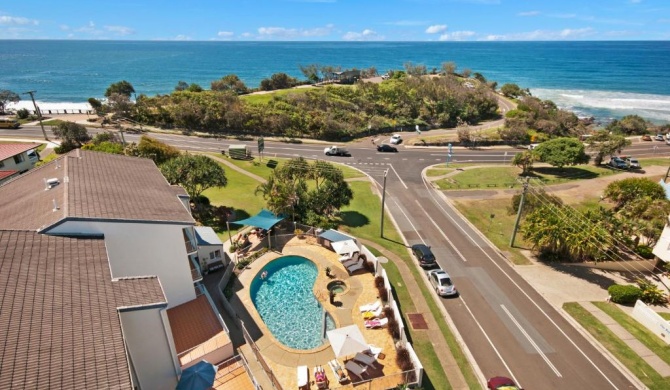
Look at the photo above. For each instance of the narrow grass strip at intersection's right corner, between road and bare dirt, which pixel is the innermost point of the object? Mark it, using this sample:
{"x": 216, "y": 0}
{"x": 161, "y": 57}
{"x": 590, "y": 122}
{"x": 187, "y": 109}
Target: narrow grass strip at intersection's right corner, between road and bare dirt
{"x": 509, "y": 177}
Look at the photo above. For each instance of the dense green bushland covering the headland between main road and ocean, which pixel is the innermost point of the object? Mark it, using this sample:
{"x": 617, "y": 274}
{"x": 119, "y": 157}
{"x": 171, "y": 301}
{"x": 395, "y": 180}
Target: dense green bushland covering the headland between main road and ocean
{"x": 328, "y": 113}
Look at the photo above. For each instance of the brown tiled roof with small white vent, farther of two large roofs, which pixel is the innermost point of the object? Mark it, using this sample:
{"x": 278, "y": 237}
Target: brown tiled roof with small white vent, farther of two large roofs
{"x": 92, "y": 185}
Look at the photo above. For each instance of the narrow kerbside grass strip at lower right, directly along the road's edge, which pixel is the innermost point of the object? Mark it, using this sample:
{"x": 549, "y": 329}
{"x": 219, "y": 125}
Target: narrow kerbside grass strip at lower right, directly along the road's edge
{"x": 617, "y": 347}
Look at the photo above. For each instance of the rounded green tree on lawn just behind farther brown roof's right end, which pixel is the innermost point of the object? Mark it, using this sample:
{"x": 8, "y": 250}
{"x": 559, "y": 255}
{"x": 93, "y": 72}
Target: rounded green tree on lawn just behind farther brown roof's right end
{"x": 195, "y": 173}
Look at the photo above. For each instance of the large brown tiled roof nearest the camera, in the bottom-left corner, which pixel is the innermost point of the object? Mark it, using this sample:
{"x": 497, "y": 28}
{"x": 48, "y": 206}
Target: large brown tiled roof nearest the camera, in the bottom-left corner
{"x": 58, "y": 313}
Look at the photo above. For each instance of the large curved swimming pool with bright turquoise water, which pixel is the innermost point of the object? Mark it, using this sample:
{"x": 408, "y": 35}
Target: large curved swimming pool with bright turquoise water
{"x": 286, "y": 303}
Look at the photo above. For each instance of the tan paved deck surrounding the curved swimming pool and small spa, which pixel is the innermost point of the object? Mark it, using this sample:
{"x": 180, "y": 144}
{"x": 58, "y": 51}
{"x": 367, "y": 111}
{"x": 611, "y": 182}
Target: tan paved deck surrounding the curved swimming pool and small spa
{"x": 360, "y": 290}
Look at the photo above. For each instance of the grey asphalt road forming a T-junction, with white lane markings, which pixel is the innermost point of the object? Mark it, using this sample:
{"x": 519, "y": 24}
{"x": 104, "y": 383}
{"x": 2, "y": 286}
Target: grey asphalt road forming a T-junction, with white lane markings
{"x": 508, "y": 327}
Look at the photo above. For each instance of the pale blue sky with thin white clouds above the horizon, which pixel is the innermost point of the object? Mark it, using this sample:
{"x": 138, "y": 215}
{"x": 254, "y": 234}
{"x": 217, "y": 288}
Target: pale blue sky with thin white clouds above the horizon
{"x": 337, "y": 20}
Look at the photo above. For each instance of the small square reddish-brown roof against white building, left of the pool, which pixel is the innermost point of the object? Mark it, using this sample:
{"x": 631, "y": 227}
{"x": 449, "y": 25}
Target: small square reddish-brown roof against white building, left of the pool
{"x": 193, "y": 323}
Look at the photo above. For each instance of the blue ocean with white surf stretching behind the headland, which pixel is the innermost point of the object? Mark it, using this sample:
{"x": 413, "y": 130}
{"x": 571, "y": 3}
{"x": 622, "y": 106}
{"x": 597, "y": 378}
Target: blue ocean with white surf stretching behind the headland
{"x": 605, "y": 80}
